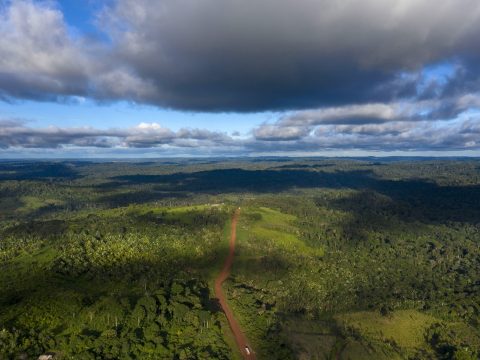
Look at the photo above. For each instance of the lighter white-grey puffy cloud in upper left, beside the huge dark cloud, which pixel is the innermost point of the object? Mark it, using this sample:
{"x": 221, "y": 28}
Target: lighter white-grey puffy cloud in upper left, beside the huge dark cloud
{"x": 42, "y": 58}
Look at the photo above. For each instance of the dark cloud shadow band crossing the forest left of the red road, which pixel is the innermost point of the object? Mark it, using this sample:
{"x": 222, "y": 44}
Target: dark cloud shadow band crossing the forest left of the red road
{"x": 85, "y": 280}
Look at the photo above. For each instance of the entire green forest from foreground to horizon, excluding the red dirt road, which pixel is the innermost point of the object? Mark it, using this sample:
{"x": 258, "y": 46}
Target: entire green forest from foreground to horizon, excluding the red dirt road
{"x": 367, "y": 258}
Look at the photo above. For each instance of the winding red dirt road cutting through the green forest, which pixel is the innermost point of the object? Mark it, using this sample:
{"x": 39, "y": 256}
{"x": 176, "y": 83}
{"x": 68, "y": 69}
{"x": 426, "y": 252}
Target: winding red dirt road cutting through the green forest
{"x": 240, "y": 338}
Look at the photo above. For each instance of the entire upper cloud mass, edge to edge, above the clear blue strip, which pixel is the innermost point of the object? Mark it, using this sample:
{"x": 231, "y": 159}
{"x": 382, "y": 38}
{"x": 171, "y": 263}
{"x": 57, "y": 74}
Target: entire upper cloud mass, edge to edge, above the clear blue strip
{"x": 243, "y": 55}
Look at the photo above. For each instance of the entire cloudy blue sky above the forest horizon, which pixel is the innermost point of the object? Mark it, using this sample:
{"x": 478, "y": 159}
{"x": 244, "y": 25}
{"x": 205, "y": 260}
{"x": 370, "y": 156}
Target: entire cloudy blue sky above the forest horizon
{"x": 161, "y": 78}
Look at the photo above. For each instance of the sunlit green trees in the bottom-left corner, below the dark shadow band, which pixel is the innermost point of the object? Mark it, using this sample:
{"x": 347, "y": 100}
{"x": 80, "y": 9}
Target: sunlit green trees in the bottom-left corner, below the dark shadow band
{"x": 112, "y": 327}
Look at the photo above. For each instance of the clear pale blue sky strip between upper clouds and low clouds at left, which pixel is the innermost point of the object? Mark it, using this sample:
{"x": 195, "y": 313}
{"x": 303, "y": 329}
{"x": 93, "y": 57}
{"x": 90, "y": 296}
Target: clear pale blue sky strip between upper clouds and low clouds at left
{"x": 125, "y": 114}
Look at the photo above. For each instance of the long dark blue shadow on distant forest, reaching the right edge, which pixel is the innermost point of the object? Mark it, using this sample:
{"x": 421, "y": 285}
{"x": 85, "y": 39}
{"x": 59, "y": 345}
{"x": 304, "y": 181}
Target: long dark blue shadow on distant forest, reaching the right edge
{"x": 411, "y": 200}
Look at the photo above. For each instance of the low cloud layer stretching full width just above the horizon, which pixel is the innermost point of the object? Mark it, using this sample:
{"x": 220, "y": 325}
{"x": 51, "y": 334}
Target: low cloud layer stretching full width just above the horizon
{"x": 385, "y": 137}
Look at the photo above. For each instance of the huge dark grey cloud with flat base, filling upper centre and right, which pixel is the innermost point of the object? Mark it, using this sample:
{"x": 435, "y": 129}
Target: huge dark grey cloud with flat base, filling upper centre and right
{"x": 245, "y": 55}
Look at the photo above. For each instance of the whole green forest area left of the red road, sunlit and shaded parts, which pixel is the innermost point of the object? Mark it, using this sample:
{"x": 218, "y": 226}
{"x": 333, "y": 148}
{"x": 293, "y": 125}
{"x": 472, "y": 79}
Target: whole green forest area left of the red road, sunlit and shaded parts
{"x": 114, "y": 286}
